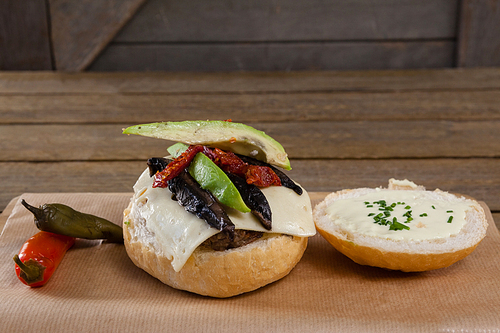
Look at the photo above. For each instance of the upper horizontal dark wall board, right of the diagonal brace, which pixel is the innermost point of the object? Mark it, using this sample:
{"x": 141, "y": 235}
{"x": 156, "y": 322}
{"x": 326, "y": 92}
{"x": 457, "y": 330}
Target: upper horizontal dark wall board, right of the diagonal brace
{"x": 316, "y": 20}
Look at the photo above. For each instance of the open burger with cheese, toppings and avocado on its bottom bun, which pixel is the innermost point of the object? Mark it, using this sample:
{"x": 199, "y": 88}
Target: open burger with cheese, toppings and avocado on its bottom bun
{"x": 217, "y": 215}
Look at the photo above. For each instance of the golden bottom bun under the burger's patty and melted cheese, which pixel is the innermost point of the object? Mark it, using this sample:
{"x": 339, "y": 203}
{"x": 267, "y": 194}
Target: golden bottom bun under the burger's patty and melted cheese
{"x": 219, "y": 273}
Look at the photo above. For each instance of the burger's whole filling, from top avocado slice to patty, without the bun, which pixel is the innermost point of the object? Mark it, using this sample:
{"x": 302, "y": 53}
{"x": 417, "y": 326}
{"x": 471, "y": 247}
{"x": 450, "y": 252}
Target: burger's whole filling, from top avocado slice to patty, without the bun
{"x": 212, "y": 177}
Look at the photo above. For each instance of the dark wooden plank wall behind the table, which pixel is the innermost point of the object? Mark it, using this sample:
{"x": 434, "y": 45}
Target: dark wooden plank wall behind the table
{"x": 230, "y": 35}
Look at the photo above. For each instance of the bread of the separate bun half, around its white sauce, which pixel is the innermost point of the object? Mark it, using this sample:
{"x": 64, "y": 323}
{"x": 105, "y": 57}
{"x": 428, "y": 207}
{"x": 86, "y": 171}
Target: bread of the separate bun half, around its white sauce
{"x": 407, "y": 256}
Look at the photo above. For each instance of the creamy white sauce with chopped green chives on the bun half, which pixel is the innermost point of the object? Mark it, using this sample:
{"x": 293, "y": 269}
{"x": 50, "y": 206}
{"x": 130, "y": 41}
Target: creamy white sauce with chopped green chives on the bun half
{"x": 424, "y": 215}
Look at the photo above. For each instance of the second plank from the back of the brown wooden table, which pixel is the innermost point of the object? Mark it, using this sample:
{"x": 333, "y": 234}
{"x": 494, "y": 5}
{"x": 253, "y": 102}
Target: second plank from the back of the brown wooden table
{"x": 110, "y": 108}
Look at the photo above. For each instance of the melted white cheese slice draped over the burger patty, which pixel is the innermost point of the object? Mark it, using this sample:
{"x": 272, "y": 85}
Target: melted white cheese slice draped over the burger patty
{"x": 178, "y": 233}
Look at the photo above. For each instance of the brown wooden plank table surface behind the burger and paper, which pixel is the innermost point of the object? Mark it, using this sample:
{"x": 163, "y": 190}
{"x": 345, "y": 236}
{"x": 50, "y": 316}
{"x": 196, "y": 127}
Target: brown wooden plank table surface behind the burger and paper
{"x": 440, "y": 128}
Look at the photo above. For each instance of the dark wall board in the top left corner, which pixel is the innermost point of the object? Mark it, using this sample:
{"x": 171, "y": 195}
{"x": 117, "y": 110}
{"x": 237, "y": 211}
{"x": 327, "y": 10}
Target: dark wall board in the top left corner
{"x": 24, "y": 35}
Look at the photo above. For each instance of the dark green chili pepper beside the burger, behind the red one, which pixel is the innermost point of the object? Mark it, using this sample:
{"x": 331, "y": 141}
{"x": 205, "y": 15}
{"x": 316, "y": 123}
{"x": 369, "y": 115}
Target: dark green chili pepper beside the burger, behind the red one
{"x": 64, "y": 220}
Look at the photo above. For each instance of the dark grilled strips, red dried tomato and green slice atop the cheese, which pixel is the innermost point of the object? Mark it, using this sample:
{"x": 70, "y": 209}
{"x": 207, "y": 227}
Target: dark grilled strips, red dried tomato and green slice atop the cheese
{"x": 233, "y": 180}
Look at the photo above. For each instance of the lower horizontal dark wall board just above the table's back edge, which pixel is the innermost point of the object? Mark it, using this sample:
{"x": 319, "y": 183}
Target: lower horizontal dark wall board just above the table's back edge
{"x": 213, "y": 57}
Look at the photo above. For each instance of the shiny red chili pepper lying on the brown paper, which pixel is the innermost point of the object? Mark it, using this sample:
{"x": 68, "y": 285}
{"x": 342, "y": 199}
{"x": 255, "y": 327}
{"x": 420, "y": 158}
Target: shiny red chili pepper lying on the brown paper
{"x": 40, "y": 256}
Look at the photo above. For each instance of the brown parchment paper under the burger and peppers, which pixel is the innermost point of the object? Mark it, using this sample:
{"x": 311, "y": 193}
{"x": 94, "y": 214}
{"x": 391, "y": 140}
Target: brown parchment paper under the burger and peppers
{"x": 98, "y": 289}
